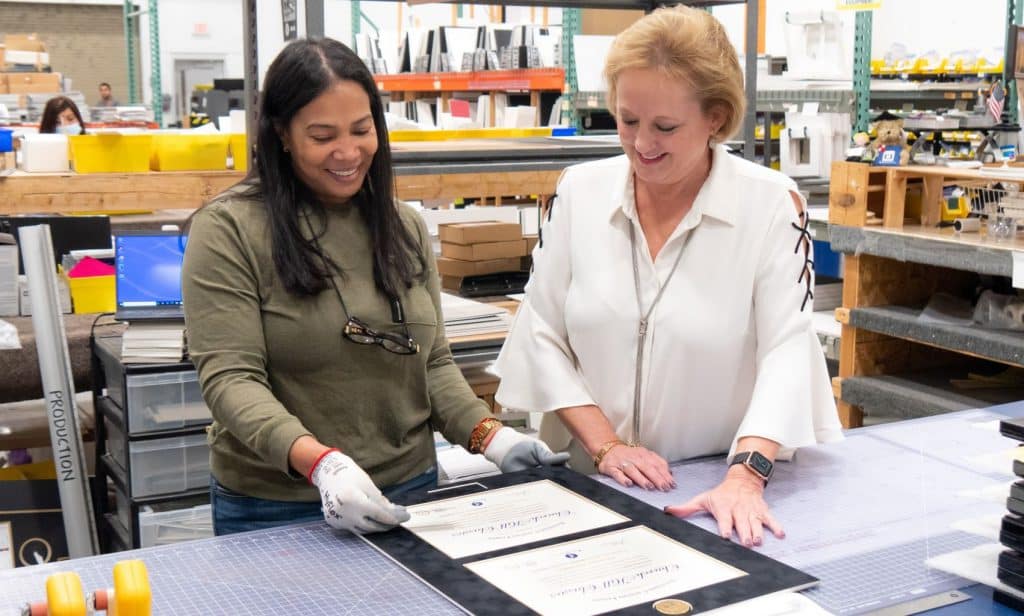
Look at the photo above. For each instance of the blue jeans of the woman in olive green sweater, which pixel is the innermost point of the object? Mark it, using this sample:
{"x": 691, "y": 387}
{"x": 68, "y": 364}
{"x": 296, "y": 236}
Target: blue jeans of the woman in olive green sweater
{"x": 234, "y": 512}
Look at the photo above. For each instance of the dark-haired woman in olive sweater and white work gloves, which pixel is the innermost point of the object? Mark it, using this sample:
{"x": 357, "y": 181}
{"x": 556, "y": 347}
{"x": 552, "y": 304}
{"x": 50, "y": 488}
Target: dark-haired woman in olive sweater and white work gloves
{"x": 314, "y": 315}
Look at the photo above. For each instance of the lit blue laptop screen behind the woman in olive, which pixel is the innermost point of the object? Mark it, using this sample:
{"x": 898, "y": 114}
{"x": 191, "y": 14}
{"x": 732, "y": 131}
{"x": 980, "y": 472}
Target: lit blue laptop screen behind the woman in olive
{"x": 149, "y": 270}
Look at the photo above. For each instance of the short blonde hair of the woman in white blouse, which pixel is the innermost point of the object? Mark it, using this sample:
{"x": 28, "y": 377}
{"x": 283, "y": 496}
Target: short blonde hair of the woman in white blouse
{"x": 690, "y": 46}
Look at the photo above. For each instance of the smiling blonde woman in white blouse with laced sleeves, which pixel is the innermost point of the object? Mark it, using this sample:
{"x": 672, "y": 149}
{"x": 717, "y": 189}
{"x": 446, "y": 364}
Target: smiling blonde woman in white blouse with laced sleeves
{"x": 669, "y": 313}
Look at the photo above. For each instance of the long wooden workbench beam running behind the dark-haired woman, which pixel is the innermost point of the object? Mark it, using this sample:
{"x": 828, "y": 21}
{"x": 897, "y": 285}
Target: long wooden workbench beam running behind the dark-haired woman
{"x": 484, "y": 168}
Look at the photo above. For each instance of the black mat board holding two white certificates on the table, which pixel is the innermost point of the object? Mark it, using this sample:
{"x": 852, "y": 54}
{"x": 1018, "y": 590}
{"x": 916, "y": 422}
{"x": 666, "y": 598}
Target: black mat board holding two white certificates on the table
{"x": 551, "y": 542}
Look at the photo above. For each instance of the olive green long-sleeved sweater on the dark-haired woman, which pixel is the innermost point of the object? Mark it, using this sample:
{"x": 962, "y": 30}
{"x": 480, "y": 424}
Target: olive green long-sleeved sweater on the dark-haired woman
{"x": 274, "y": 367}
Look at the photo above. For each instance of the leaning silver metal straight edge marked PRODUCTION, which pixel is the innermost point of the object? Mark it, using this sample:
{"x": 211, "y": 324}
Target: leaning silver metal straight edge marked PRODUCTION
{"x": 59, "y": 390}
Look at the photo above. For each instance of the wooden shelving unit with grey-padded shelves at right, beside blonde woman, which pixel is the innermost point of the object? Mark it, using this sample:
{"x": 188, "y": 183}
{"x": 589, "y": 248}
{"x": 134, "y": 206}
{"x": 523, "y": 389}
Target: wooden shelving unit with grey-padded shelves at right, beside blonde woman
{"x": 891, "y": 360}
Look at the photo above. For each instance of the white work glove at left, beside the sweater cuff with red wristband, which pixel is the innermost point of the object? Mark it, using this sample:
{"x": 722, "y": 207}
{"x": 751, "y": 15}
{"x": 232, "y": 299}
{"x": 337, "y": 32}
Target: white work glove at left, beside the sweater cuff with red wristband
{"x": 351, "y": 500}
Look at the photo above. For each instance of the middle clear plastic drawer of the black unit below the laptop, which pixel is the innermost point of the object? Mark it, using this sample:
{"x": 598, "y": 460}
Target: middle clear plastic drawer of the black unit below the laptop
{"x": 169, "y": 466}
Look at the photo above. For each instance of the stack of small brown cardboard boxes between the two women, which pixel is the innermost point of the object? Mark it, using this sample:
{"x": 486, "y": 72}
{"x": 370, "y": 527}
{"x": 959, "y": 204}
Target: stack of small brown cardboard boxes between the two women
{"x": 475, "y": 249}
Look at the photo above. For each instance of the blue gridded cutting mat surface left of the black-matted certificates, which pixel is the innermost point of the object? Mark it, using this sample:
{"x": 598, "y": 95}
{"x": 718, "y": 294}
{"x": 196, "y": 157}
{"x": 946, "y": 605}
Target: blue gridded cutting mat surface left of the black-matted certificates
{"x": 307, "y": 569}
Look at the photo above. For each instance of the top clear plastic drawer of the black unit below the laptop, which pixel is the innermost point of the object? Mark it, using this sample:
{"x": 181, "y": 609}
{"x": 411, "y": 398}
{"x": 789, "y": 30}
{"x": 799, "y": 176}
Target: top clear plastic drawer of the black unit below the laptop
{"x": 164, "y": 402}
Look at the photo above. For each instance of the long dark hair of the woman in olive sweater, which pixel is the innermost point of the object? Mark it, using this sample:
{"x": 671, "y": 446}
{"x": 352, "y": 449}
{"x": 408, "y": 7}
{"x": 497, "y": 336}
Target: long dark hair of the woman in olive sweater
{"x": 304, "y": 71}
